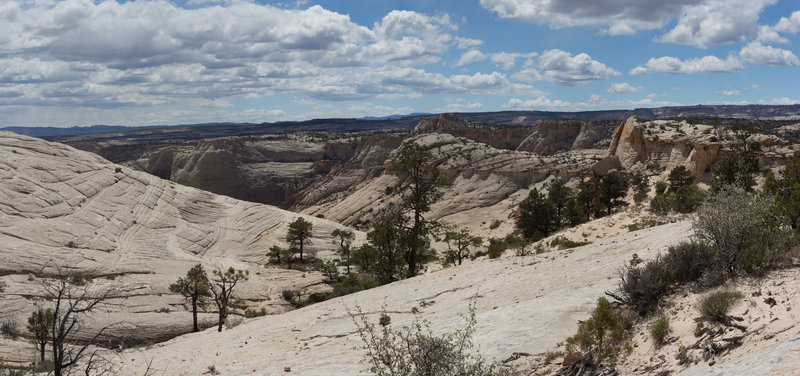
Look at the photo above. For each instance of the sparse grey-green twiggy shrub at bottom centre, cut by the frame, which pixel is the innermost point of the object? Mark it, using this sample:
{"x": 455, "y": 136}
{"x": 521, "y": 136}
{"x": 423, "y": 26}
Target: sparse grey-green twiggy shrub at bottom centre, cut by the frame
{"x": 414, "y": 350}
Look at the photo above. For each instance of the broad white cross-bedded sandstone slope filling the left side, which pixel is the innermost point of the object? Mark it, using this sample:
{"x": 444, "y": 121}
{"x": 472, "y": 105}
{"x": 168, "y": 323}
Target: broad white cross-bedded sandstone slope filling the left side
{"x": 61, "y": 207}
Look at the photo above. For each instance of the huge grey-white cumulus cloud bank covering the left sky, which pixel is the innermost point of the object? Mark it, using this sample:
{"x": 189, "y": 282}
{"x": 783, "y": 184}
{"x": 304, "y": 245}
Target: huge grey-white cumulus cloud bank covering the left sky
{"x": 154, "y": 53}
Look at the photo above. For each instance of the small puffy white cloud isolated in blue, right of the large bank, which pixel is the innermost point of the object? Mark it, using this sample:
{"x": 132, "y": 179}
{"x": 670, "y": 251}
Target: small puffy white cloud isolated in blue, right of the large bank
{"x": 562, "y": 68}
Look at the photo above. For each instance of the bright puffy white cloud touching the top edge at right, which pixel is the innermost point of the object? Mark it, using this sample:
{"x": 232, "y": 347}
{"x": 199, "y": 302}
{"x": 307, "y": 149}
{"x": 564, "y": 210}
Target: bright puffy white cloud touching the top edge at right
{"x": 715, "y": 22}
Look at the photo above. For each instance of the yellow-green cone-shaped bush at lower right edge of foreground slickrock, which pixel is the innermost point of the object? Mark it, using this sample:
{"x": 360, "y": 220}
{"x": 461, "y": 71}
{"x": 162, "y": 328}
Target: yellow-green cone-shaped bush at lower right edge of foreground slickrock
{"x": 602, "y": 335}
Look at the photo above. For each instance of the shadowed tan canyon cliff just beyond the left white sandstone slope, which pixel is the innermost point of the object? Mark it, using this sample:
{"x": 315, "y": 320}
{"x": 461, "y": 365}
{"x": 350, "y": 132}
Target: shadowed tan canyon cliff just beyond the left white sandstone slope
{"x": 268, "y": 169}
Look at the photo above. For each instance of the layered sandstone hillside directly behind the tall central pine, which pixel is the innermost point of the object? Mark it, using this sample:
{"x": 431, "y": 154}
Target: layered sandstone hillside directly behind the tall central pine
{"x": 485, "y": 182}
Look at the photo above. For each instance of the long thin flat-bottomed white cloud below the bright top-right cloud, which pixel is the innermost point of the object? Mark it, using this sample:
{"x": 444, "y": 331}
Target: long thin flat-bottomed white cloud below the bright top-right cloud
{"x": 705, "y": 64}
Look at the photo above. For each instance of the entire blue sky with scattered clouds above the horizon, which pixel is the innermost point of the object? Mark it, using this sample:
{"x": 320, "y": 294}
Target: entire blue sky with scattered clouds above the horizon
{"x": 145, "y": 62}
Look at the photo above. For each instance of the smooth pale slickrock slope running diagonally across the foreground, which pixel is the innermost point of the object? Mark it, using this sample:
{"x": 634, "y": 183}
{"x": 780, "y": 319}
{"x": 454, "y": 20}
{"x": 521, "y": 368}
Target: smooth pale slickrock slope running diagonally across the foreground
{"x": 524, "y": 304}
